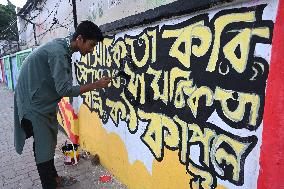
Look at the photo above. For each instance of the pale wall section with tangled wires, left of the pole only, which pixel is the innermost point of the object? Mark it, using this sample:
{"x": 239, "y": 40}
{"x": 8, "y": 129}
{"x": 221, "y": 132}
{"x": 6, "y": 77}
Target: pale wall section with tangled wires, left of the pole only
{"x": 52, "y": 19}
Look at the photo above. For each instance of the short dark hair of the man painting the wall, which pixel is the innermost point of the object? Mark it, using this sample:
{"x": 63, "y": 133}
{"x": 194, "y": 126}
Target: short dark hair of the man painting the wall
{"x": 88, "y": 30}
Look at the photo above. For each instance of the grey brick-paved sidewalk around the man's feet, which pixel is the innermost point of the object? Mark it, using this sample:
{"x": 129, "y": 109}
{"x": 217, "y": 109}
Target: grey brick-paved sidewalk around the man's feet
{"x": 19, "y": 171}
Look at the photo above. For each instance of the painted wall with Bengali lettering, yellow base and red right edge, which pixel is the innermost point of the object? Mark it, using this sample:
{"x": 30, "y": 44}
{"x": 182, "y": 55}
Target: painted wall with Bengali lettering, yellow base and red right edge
{"x": 190, "y": 110}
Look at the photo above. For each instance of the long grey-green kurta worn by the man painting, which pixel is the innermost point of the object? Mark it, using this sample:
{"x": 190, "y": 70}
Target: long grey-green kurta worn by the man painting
{"x": 45, "y": 77}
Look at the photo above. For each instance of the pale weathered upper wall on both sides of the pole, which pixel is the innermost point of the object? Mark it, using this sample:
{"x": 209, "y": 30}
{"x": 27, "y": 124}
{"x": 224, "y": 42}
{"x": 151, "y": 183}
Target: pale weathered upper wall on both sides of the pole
{"x": 54, "y": 19}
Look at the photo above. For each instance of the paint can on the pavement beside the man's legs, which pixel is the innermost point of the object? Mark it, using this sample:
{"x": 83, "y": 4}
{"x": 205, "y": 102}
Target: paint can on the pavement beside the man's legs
{"x": 70, "y": 152}
